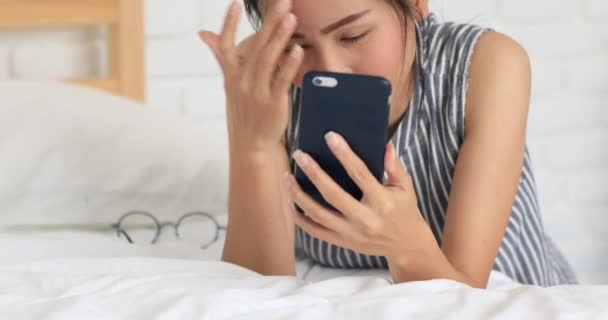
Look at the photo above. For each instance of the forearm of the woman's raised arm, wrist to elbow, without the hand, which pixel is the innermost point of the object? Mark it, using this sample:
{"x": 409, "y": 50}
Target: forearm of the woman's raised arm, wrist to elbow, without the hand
{"x": 260, "y": 234}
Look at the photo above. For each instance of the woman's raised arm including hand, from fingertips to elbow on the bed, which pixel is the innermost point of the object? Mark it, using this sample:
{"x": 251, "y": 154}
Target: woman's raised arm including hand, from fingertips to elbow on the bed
{"x": 260, "y": 232}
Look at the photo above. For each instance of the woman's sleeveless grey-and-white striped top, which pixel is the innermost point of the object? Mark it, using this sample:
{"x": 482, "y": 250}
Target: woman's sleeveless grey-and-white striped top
{"x": 428, "y": 140}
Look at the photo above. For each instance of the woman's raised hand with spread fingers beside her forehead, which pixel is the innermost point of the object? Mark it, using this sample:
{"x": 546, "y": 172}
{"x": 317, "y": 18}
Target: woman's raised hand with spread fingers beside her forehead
{"x": 257, "y": 76}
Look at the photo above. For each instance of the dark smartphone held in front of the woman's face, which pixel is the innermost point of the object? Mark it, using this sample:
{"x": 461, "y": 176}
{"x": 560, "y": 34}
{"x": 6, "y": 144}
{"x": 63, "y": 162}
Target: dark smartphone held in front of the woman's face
{"x": 356, "y": 107}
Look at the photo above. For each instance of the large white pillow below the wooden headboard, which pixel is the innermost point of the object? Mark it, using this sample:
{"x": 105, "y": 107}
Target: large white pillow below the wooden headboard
{"x": 72, "y": 155}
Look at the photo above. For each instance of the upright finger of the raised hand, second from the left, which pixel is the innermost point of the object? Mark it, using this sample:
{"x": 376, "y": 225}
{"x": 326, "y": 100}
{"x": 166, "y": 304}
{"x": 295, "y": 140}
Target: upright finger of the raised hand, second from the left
{"x": 226, "y": 42}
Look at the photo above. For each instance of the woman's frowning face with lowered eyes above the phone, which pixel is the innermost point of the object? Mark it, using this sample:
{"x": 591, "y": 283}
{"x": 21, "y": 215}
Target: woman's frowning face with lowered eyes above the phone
{"x": 355, "y": 36}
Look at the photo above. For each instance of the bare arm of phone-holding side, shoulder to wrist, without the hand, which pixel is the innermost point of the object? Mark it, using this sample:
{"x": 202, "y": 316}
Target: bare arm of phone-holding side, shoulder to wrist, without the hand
{"x": 488, "y": 168}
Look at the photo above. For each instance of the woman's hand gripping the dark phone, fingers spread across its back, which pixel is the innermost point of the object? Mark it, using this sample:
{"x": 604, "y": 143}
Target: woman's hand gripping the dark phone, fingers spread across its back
{"x": 386, "y": 222}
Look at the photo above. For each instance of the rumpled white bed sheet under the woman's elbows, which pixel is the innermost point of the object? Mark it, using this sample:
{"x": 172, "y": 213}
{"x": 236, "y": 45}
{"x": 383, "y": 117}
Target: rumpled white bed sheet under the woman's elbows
{"x": 89, "y": 275}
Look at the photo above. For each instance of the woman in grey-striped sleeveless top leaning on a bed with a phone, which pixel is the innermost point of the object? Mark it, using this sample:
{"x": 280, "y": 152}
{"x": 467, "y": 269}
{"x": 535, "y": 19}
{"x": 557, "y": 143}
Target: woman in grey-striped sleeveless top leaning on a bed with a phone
{"x": 460, "y": 197}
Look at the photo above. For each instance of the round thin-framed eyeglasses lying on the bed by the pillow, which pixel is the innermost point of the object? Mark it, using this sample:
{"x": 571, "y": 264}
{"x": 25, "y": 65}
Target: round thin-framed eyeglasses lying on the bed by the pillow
{"x": 141, "y": 227}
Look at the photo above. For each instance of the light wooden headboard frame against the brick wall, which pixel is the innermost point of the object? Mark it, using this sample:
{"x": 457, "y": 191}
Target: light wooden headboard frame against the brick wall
{"x": 124, "y": 19}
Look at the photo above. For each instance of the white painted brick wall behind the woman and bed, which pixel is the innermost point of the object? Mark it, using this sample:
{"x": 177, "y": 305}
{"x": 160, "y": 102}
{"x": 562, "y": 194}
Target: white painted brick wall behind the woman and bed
{"x": 567, "y": 42}
